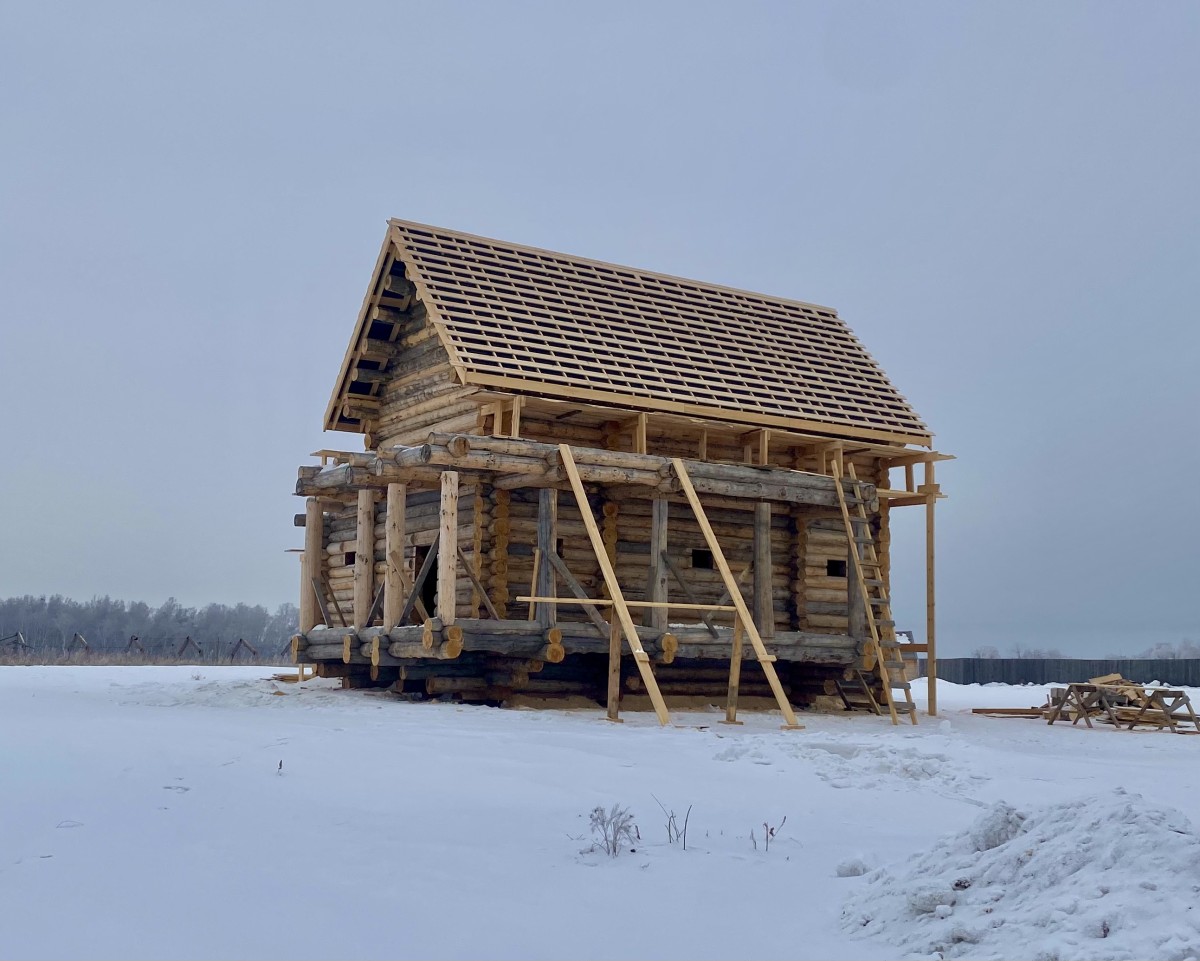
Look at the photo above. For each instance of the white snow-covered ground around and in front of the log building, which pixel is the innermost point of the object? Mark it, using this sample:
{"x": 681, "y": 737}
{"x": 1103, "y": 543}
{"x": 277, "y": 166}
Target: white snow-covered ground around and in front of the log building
{"x": 143, "y": 814}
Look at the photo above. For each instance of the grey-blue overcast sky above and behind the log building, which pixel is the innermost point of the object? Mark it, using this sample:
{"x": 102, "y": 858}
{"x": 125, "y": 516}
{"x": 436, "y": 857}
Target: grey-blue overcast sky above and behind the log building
{"x": 1001, "y": 201}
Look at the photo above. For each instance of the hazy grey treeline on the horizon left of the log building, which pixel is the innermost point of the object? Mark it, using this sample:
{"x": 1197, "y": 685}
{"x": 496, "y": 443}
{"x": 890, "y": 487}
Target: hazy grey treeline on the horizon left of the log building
{"x": 50, "y": 624}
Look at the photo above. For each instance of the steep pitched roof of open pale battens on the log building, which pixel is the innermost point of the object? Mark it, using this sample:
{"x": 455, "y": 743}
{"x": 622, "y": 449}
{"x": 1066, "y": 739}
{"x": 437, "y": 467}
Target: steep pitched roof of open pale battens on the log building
{"x": 531, "y": 321}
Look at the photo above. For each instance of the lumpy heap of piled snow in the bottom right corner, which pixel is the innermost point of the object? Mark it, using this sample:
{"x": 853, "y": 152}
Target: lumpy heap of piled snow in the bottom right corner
{"x": 1101, "y": 879}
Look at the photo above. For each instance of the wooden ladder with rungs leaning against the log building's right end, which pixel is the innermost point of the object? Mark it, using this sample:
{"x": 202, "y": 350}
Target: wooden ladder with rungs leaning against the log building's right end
{"x": 884, "y": 647}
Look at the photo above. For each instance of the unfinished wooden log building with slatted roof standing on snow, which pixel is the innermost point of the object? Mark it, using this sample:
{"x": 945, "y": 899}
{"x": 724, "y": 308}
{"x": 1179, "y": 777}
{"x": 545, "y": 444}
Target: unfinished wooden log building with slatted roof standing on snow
{"x": 589, "y": 479}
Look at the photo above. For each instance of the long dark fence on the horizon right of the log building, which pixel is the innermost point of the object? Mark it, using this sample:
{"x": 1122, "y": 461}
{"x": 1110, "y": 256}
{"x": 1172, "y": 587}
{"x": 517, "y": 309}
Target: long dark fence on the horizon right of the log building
{"x": 1183, "y": 672}
